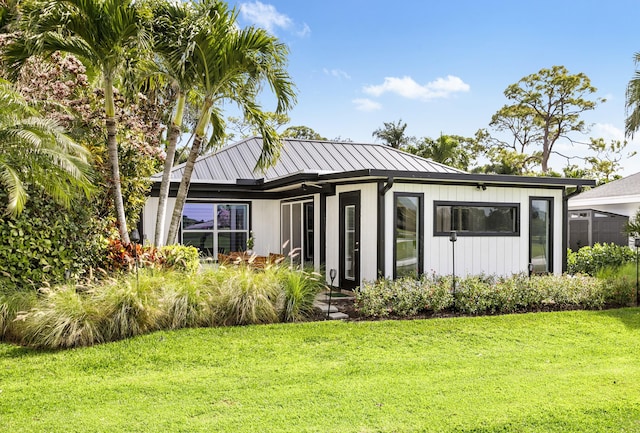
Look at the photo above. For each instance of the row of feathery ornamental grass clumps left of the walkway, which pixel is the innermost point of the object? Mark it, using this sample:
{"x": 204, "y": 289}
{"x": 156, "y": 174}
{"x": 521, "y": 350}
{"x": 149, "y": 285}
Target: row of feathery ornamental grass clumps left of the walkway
{"x": 73, "y": 315}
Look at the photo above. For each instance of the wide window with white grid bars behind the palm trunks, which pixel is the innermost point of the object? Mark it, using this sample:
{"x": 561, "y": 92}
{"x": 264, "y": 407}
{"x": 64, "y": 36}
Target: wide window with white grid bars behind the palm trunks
{"x": 215, "y": 227}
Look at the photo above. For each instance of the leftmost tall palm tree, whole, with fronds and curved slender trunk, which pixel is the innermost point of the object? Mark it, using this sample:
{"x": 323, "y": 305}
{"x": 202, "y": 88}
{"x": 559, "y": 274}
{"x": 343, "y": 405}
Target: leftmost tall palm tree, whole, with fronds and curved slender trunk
{"x": 104, "y": 33}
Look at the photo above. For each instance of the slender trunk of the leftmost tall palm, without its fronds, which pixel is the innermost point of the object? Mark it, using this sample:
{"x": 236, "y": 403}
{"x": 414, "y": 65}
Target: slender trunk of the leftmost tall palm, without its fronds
{"x": 112, "y": 149}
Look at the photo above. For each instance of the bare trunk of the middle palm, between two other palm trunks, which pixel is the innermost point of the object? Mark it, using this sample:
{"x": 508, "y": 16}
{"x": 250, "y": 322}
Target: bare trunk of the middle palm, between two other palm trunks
{"x": 174, "y": 133}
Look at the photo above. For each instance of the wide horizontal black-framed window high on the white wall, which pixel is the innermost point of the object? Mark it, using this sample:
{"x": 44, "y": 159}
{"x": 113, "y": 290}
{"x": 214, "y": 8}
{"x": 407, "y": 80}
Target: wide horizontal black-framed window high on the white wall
{"x": 476, "y": 219}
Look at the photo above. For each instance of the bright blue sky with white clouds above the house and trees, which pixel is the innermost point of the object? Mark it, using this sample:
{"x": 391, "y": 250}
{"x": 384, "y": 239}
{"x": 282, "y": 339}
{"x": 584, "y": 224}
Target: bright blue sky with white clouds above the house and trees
{"x": 441, "y": 66}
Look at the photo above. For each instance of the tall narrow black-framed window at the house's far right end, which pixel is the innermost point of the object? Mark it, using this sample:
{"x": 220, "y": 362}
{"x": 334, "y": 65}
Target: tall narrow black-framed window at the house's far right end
{"x": 541, "y": 234}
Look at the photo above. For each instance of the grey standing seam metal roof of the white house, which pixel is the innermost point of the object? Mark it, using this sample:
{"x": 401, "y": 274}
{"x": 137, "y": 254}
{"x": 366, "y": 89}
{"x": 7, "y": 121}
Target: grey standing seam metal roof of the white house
{"x": 236, "y": 161}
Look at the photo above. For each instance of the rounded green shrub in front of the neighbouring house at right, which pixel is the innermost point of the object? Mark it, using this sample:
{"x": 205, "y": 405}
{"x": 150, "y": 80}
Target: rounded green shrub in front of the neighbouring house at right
{"x": 590, "y": 260}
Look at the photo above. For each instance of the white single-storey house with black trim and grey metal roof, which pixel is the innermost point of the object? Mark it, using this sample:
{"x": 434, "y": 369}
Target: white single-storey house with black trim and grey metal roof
{"x": 368, "y": 210}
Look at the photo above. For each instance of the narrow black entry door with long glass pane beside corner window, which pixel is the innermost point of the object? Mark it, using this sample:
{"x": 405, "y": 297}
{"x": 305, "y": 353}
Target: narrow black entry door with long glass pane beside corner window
{"x": 350, "y": 240}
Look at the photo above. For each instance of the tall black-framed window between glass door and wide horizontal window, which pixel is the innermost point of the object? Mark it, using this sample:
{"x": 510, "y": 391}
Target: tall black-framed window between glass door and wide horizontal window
{"x": 409, "y": 225}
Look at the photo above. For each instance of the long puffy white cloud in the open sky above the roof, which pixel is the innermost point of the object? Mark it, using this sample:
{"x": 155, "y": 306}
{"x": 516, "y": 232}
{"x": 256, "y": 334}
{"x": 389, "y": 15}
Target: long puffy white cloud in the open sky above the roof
{"x": 408, "y": 88}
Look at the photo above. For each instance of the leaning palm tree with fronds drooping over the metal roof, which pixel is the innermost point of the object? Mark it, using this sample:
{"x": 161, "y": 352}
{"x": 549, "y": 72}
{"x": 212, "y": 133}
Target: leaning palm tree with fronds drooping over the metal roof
{"x": 232, "y": 64}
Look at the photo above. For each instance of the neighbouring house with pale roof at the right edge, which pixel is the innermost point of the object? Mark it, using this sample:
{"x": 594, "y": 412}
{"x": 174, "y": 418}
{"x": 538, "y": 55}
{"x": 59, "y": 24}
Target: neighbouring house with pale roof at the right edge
{"x": 599, "y": 214}
